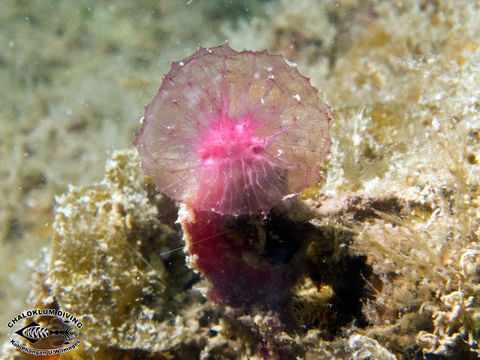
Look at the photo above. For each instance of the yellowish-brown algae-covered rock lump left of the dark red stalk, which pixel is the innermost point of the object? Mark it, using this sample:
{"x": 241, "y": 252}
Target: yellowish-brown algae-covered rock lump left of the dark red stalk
{"x": 105, "y": 264}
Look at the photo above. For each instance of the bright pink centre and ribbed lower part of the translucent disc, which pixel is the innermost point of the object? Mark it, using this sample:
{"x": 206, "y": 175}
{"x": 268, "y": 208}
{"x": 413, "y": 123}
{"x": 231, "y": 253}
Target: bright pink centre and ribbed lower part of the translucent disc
{"x": 236, "y": 171}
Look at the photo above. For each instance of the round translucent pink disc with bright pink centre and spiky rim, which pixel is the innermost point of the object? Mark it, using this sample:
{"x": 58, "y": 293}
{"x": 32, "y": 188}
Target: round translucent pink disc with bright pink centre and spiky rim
{"x": 234, "y": 132}
